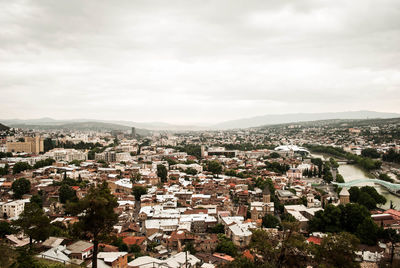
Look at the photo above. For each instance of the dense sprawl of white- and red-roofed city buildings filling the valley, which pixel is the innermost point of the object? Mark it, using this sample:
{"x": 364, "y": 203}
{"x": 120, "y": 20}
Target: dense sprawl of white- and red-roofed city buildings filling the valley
{"x": 189, "y": 203}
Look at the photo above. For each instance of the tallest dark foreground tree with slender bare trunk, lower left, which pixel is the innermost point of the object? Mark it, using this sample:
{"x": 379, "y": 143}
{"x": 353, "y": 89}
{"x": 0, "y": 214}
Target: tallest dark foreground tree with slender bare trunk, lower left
{"x": 96, "y": 215}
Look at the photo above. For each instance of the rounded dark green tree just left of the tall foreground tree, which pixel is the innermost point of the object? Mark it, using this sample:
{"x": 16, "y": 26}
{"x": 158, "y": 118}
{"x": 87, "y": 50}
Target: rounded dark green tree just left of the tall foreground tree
{"x": 34, "y": 223}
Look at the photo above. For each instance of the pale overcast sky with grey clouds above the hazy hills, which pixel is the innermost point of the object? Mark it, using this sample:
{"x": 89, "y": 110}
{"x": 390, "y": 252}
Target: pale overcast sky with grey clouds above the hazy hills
{"x": 197, "y": 61}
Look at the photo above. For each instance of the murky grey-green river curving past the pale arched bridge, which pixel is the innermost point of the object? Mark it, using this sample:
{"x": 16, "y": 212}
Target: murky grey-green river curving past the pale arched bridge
{"x": 352, "y": 172}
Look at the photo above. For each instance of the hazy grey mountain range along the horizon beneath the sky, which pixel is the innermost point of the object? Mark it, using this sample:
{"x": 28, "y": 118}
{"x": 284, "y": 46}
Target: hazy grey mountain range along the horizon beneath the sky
{"x": 257, "y": 121}
